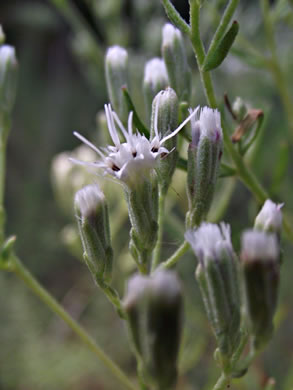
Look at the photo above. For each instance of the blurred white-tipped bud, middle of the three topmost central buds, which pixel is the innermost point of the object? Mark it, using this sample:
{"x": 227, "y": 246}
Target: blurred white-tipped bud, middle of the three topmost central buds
{"x": 155, "y": 79}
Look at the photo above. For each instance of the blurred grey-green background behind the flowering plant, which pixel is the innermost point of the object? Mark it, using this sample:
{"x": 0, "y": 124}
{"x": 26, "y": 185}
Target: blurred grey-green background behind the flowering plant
{"x": 60, "y": 47}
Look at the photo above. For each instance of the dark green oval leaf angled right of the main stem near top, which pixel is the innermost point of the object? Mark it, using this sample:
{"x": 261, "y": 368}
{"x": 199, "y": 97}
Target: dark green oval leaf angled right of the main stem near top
{"x": 216, "y": 57}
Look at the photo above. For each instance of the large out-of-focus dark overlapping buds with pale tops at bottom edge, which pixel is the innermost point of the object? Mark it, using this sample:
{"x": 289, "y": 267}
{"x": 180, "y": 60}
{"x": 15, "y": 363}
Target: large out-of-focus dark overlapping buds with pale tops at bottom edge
{"x": 154, "y": 308}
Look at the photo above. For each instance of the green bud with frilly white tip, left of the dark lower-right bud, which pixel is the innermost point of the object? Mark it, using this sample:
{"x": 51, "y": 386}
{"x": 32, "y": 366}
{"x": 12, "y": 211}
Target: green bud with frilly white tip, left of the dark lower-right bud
{"x": 217, "y": 275}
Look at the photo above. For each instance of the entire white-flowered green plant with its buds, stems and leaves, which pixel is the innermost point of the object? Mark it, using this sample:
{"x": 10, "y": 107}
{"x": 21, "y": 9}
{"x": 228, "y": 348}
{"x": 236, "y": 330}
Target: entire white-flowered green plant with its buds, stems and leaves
{"x": 239, "y": 292}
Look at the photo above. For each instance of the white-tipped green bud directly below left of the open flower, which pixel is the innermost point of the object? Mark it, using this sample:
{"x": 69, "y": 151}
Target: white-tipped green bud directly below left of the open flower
{"x": 93, "y": 223}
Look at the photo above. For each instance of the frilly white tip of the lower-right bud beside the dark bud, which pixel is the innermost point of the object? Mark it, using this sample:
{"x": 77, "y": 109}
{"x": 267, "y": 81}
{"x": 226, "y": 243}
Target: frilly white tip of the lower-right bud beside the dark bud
{"x": 209, "y": 239}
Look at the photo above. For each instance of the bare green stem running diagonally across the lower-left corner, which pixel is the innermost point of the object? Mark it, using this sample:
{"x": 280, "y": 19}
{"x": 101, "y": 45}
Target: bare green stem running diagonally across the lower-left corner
{"x": 21, "y": 271}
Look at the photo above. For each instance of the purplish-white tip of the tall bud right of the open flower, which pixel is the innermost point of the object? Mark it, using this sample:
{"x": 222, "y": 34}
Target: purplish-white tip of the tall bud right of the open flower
{"x": 206, "y": 124}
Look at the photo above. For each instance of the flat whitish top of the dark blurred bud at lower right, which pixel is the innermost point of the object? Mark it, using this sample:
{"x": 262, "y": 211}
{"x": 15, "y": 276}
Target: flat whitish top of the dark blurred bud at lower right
{"x": 257, "y": 245}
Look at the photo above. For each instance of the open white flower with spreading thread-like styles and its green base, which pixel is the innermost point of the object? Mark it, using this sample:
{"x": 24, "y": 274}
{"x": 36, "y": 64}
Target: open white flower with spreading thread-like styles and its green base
{"x": 132, "y": 164}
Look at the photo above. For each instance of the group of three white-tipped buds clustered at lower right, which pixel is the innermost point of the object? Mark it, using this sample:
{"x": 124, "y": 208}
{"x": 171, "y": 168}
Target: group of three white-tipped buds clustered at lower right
{"x": 218, "y": 272}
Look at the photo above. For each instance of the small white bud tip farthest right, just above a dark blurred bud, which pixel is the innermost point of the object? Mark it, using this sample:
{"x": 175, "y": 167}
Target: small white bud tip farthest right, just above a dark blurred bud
{"x": 270, "y": 216}
